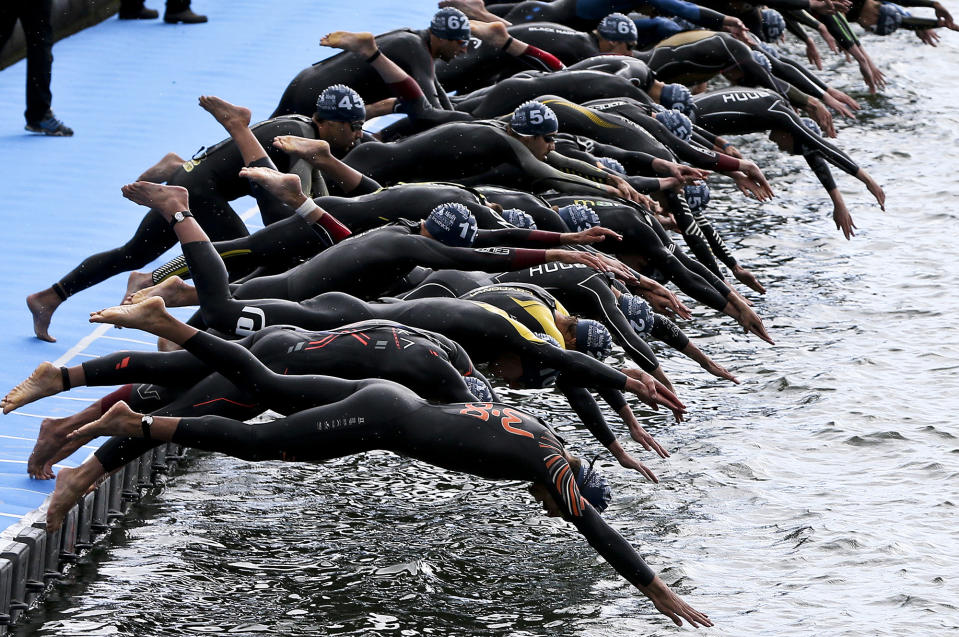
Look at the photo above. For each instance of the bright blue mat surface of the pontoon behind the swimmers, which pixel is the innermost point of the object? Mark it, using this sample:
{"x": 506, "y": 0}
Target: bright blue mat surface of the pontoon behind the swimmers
{"x": 129, "y": 90}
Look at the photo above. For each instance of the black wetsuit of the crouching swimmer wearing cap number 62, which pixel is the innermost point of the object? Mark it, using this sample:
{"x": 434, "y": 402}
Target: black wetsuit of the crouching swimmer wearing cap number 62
{"x": 407, "y": 48}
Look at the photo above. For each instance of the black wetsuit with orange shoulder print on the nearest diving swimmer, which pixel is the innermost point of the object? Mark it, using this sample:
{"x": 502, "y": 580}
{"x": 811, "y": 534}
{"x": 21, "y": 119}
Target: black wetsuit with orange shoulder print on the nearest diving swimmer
{"x": 492, "y": 441}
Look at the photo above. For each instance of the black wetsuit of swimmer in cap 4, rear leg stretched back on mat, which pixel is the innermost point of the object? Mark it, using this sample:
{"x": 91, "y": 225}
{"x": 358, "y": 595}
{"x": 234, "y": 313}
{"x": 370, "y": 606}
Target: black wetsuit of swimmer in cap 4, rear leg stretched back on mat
{"x": 212, "y": 180}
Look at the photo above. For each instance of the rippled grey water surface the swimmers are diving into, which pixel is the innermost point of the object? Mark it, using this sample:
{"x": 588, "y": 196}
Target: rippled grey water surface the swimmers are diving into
{"x": 818, "y": 497}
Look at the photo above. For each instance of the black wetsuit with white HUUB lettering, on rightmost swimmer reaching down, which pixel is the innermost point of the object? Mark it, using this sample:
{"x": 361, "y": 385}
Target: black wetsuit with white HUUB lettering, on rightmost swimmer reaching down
{"x": 739, "y": 111}
